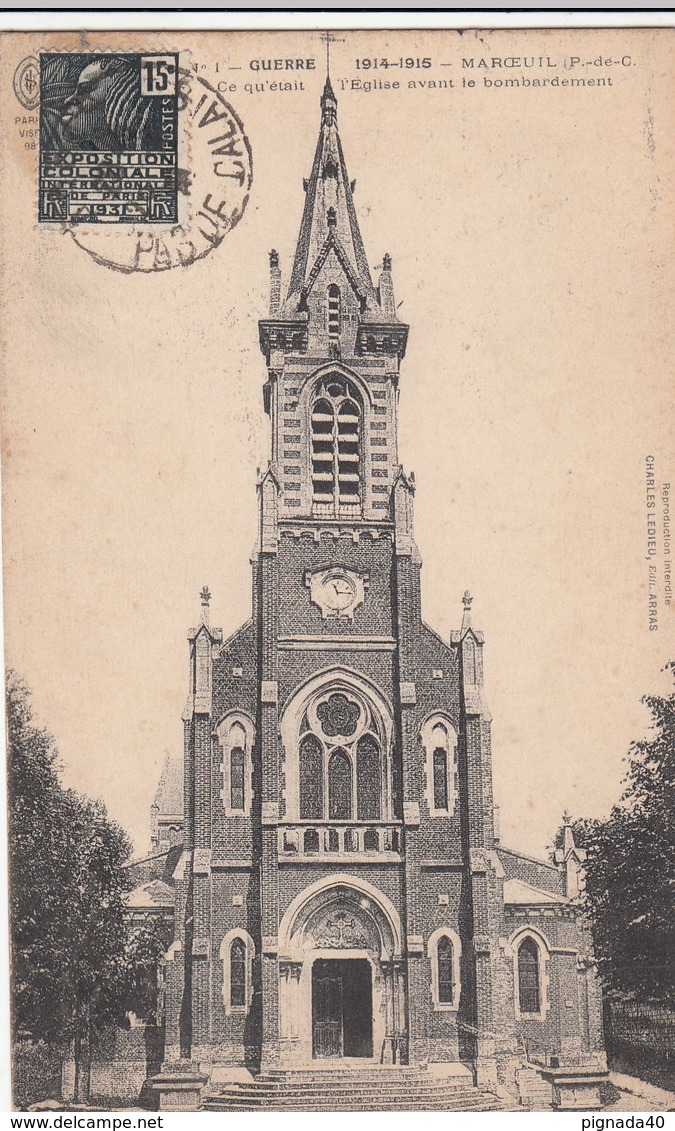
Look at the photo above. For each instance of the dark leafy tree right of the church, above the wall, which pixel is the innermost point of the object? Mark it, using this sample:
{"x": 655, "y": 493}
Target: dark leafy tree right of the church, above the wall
{"x": 630, "y": 868}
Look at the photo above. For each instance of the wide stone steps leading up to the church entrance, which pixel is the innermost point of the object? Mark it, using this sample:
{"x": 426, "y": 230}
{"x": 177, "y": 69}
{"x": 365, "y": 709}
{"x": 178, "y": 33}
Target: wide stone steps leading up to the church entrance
{"x": 351, "y": 1090}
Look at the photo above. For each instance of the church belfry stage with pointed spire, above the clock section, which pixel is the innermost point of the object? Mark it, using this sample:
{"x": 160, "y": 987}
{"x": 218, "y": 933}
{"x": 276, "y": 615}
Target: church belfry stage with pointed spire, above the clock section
{"x": 333, "y": 347}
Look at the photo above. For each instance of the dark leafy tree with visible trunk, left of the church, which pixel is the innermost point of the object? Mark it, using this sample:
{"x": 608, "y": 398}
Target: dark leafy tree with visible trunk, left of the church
{"x": 71, "y": 963}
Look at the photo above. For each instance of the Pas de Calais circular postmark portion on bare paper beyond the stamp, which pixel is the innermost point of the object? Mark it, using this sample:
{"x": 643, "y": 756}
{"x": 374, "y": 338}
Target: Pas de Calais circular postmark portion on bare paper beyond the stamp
{"x": 214, "y": 182}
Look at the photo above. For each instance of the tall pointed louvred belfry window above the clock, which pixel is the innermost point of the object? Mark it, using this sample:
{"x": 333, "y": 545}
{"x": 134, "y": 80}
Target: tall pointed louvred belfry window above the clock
{"x": 336, "y": 448}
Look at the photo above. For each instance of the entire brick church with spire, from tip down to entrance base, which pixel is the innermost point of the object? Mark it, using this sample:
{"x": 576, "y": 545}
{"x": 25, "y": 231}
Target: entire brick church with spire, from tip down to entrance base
{"x": 343, "y": 895}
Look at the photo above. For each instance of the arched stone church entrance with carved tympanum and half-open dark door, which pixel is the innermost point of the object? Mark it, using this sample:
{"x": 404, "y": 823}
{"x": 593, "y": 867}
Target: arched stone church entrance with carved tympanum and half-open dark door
{"x": 342, "y": 992}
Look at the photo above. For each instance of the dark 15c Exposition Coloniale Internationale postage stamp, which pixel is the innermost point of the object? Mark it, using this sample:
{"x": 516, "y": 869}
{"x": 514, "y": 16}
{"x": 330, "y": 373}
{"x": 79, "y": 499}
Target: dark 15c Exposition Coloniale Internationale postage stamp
{"x": 109, "y": 139}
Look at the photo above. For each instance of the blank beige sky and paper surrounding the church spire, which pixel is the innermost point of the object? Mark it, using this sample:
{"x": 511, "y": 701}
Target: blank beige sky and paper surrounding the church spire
{"x": 531, "y": 230}
